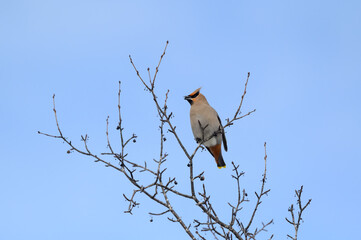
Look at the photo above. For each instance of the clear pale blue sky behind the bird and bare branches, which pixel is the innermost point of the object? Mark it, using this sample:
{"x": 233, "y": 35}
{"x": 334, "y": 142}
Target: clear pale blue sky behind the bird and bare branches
{"x": 305, "y": 64}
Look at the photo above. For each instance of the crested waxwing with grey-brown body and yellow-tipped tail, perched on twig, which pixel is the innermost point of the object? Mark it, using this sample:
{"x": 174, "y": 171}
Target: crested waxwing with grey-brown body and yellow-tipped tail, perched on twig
{"x": 206, "y": 126}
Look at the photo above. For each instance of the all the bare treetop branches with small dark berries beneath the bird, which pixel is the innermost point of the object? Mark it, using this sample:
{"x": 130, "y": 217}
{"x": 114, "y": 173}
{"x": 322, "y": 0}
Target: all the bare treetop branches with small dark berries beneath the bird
{"x": 158, "y": 188}
